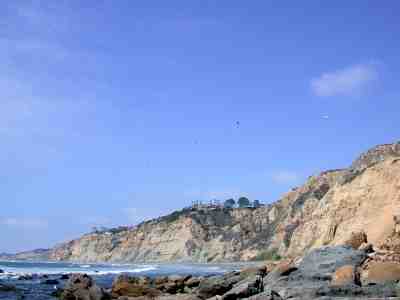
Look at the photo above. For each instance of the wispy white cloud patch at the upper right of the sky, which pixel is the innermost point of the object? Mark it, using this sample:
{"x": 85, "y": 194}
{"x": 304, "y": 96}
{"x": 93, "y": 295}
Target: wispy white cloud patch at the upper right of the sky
{"x": 351, "y": 80}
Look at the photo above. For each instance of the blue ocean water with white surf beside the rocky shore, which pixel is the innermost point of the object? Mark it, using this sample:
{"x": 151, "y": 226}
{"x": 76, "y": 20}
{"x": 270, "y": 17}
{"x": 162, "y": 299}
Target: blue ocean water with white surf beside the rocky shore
{"x": 29, "y": 277}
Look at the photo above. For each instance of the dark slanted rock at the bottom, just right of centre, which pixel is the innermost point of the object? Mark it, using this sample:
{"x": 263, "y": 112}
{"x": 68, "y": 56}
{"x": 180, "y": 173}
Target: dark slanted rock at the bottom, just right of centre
{"x": 217, "y": 285}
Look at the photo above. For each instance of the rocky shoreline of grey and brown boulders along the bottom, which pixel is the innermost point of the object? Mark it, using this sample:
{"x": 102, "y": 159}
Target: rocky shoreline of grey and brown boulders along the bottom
{"x": 350, "y": 271}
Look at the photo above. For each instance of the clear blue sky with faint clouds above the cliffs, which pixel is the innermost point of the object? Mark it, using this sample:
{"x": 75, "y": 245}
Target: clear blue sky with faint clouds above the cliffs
{"x": 116, "y": 111}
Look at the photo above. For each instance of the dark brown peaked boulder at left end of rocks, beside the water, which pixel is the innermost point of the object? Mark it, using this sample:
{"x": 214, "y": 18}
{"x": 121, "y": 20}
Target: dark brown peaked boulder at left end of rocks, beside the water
{"x": 82, "y": 287}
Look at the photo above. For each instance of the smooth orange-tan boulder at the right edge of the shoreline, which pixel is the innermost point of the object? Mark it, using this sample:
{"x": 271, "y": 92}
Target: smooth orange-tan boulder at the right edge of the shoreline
{"x": 381, "y": 272}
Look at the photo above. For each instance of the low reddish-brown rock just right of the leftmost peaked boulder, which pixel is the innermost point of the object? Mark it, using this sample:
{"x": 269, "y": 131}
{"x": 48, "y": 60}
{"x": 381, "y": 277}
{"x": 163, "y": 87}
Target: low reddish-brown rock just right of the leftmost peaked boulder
{"x": 133, "y": 287}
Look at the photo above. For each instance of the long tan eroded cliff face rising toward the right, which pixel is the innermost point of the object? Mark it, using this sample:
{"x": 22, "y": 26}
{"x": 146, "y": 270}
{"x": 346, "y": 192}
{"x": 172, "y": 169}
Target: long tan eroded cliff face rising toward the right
{"x": 324, "y": 211}
